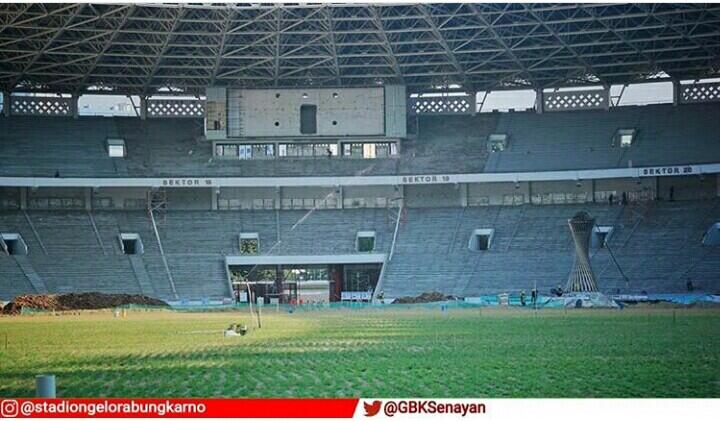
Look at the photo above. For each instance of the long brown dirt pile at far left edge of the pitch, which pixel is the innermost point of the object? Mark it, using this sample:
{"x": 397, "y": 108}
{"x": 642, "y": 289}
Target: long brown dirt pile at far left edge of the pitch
{"x": 83, "y": 301}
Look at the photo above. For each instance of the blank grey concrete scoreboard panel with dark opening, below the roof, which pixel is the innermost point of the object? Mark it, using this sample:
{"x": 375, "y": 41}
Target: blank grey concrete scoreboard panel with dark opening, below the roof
{"x": 276, "y": 112}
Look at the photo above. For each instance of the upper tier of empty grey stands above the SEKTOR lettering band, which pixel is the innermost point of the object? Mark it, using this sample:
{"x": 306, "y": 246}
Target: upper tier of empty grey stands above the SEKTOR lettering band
{"x": 664, "y": 135}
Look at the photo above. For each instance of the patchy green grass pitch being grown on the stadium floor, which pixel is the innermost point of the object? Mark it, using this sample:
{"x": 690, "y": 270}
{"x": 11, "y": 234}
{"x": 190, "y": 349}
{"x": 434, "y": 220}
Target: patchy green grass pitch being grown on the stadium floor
{"x": 369, "y": 353}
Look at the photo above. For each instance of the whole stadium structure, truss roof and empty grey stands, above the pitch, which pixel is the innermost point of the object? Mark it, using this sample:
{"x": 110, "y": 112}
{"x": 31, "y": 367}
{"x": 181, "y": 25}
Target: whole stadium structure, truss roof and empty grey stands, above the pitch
{"x": 375, "y": 179}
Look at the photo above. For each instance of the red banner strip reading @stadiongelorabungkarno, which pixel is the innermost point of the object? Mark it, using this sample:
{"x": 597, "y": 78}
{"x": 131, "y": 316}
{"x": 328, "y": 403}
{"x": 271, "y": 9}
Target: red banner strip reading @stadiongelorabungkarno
{"x": 177, "y": 408}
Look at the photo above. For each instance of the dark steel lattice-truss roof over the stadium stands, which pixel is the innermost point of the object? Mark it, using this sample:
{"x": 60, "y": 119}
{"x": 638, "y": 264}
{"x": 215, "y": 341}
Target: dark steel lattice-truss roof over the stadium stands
{"x": 144, "y": 49}
